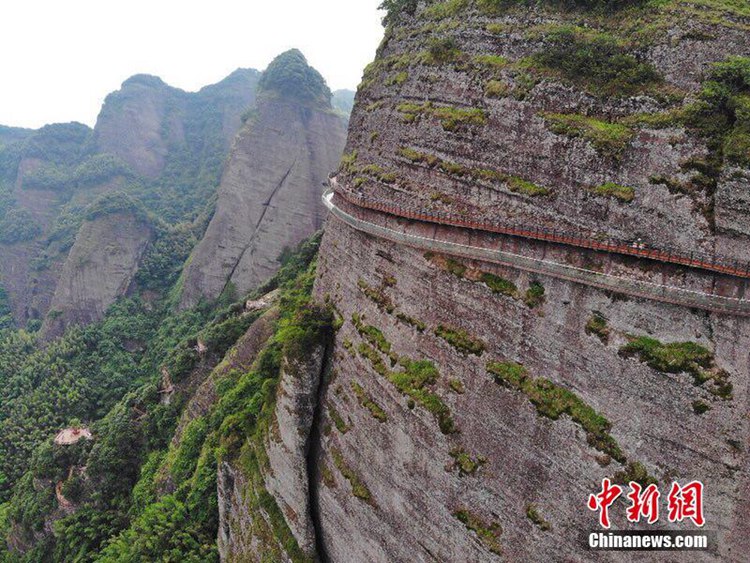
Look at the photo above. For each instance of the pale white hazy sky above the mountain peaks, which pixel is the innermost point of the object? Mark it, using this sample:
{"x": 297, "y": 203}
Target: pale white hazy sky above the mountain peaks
{"x": 60, "y": 58}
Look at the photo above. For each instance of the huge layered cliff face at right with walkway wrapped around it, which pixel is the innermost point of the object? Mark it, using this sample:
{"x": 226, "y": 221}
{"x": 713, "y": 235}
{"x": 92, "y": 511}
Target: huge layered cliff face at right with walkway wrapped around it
{"x": 456, "y": 407}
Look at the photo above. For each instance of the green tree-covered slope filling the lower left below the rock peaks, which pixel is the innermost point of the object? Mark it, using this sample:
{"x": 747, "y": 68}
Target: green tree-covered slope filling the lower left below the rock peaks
{"x": 138, "y": 491}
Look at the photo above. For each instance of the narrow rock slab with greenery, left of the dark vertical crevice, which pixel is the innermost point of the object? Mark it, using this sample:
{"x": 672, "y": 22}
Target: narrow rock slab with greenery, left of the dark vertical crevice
{"x": 256, "y": 502}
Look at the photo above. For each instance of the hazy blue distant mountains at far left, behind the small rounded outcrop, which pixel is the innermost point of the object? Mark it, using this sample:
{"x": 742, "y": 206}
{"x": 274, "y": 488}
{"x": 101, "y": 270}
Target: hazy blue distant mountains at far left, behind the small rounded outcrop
{"x": 158, "y": 143}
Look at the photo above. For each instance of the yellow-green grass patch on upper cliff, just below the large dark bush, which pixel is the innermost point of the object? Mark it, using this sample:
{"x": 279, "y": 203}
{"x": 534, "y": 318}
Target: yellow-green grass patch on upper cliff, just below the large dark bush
{"x": 609, "y": 139}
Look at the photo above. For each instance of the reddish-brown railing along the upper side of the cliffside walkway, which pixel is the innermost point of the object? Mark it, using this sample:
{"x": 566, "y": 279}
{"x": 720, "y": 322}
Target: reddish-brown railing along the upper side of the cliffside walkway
{"x": 714, "y": 263}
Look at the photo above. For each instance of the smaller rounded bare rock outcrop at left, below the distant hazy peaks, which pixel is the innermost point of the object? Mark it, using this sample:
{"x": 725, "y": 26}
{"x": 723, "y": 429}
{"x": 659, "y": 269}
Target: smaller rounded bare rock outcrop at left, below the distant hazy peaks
{"x": 99, "y": 269}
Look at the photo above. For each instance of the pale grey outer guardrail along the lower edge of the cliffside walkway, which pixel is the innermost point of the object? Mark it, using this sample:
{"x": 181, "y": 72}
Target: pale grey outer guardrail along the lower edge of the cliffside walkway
{"x": 635, "y": 288}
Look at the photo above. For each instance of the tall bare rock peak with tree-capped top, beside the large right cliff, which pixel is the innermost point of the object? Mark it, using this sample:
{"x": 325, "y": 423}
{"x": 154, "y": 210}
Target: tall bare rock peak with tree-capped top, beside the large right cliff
{"x": 269, "y": 198}
